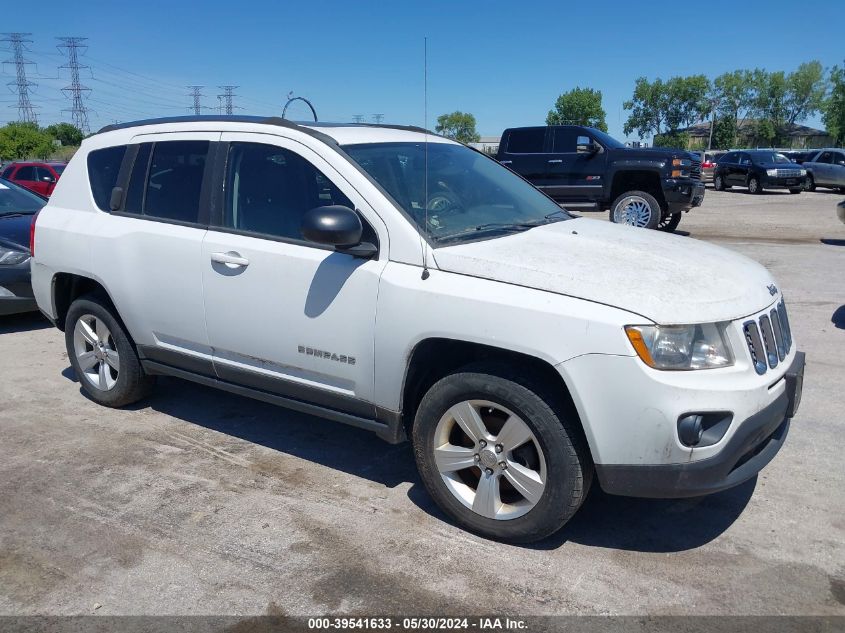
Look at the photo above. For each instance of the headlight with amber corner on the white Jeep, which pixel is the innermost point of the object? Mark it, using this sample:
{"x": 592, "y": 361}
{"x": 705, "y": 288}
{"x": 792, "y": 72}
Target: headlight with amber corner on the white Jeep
{"x": 681, "y": 347}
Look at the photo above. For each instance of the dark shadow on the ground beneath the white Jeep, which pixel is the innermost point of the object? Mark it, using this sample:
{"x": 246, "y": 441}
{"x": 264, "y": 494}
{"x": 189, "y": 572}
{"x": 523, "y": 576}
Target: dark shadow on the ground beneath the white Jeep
{"x": 646, "y": 525}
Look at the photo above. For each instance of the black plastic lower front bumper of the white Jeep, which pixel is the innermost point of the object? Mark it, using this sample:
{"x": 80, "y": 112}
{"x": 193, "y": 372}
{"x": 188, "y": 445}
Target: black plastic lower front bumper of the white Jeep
{"x": 754, "y": 444}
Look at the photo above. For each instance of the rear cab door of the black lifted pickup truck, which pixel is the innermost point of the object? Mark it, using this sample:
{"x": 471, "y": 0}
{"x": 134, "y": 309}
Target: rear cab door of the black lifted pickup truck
{"x": 575, "y": 176}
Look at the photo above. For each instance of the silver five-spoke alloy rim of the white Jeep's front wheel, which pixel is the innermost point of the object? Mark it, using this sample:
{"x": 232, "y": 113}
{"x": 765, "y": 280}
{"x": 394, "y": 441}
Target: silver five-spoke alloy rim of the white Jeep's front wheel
{"x": 489, "y": 459}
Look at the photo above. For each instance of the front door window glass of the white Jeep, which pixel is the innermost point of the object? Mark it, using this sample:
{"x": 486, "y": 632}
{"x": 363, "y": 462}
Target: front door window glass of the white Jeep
{"x": 269, "y": 189}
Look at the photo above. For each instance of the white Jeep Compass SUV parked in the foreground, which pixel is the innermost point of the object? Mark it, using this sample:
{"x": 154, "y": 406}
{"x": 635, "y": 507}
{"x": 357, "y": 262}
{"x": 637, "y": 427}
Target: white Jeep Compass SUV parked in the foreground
{"x": 403, "y": 283}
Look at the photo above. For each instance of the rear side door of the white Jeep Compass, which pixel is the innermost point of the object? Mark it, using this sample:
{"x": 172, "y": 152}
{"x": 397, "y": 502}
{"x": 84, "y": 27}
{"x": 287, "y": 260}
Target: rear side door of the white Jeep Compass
{"x": 150, "y": 249}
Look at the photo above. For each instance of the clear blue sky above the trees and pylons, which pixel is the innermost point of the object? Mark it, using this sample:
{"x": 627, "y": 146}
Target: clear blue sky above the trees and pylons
{"x": 506, "y": 62}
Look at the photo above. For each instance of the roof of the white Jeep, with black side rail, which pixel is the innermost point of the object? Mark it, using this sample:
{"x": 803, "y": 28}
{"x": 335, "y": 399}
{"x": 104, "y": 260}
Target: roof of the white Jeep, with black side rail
{"x": 340, "y": 133}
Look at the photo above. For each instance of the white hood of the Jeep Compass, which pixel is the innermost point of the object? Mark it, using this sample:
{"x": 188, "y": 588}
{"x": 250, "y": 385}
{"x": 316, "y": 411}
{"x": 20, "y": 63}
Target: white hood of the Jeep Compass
{"x": 668, "y": 279}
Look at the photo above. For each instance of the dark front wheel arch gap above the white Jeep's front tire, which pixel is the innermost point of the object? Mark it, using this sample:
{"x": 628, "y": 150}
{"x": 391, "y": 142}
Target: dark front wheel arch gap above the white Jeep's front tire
{"x": 434, "y": 358}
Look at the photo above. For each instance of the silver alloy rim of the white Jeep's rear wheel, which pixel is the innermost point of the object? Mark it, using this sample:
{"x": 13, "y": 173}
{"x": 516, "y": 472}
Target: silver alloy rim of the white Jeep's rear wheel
{"x": 96, "y": 352}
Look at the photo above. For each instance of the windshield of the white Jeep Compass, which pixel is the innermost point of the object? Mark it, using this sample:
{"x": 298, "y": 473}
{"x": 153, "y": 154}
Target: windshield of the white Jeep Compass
{"x": 469, "y": 195}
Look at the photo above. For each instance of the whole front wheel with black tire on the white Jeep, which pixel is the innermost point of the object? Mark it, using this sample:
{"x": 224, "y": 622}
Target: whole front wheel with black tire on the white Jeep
{"x": 498, "y": 456}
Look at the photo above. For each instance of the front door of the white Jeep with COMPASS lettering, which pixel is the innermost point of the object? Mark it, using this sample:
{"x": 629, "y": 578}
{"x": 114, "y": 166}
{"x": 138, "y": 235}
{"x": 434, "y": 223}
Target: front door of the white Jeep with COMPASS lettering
{"x": 284, "y": 315}
